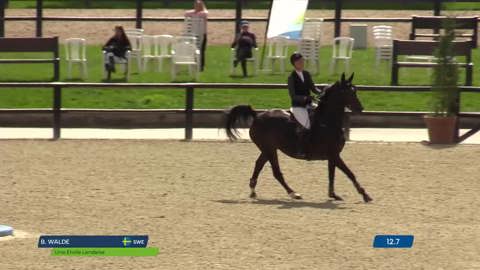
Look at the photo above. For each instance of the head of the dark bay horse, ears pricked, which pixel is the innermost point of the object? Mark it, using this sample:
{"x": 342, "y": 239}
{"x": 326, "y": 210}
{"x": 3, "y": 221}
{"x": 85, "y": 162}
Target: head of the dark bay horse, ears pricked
{"x": 344, "y": 93}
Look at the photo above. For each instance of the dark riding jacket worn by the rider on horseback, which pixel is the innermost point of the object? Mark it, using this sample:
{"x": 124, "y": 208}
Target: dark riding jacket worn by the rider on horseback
{"x": 299, "y": 90}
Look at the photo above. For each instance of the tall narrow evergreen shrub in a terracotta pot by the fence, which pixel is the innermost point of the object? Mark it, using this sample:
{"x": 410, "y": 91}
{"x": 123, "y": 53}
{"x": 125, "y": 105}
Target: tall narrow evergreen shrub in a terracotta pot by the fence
{"x": 442, "y": 123}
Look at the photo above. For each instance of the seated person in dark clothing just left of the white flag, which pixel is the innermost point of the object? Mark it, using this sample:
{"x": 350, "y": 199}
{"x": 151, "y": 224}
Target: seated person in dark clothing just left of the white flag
{"x": 244, "y": 42}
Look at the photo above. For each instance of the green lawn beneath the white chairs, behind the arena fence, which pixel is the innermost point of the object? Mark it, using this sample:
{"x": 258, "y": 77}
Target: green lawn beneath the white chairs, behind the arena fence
{"x": 217, "y": 70}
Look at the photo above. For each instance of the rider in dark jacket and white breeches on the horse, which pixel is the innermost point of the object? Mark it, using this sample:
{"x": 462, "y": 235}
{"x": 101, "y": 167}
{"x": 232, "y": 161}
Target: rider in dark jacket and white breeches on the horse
{"x": 299, "y": 86}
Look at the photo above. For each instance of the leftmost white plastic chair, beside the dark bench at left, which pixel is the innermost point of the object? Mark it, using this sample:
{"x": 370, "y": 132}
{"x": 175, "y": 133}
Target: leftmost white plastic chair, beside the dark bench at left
{"x": 75, "y": 49}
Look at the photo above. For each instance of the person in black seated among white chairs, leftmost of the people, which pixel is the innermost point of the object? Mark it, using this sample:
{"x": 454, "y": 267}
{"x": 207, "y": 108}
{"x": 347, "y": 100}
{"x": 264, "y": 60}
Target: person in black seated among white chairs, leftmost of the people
{"x": 117, "y": 46}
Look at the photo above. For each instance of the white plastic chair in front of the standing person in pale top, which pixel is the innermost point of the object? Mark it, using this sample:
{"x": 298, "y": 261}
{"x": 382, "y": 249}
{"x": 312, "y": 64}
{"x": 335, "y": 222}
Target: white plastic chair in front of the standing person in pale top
{"x": 185, "y": 53}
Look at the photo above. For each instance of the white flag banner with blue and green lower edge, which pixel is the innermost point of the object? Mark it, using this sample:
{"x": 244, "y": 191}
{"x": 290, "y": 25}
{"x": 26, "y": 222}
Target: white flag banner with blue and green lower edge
{"x": 286, "y": 18}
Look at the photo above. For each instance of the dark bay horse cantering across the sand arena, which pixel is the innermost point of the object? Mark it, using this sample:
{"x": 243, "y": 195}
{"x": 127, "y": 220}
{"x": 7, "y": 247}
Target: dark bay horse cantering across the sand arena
{"x": 274, "y": 130}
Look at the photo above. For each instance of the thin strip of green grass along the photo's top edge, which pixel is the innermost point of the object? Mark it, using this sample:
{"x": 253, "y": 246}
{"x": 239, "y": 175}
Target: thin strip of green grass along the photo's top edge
{"x": 251, "y": 4}
